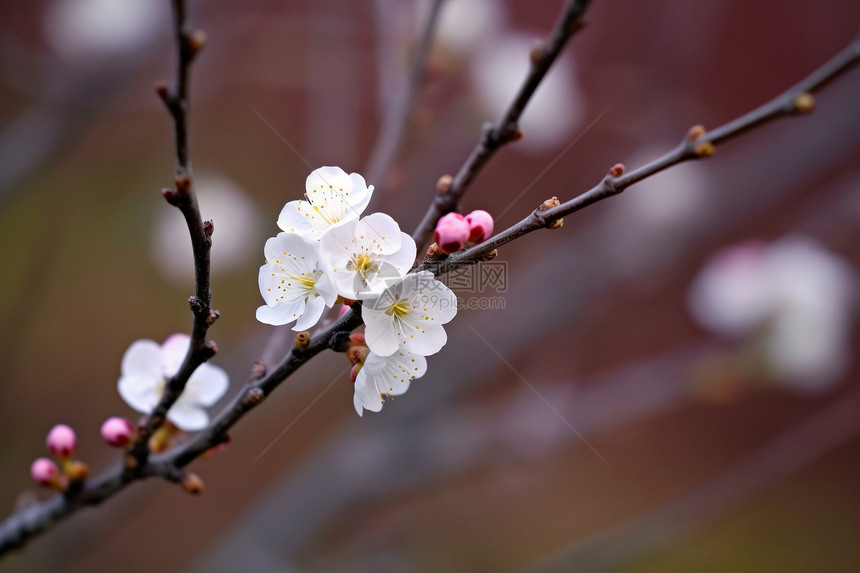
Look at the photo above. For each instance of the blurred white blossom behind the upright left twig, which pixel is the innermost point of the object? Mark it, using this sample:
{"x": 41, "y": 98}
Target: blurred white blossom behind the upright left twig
{"x": 237, "y": 235}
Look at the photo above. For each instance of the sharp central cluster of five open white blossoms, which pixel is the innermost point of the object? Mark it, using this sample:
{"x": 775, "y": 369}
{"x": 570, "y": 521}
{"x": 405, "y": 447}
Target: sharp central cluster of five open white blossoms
{"x": 328, "y": 253}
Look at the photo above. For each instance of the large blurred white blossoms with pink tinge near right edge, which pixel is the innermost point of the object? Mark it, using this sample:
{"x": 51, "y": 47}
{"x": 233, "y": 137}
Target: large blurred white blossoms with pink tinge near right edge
{"x": 795, "y": 294}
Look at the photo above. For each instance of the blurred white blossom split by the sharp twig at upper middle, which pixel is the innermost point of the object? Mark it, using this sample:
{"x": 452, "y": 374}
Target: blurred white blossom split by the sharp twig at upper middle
{"x": 554, "y": 112}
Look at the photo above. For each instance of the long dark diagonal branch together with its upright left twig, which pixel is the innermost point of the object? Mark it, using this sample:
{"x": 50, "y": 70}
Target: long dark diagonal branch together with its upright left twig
{"x": 25, "y": 523}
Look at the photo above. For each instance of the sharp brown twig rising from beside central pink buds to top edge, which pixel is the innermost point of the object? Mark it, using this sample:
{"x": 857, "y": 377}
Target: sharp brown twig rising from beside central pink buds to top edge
{"x": 506, "y": 128}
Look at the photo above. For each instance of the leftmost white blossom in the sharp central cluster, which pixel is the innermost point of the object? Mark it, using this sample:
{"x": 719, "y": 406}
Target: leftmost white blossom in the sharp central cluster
{"x": 293, "y": 283}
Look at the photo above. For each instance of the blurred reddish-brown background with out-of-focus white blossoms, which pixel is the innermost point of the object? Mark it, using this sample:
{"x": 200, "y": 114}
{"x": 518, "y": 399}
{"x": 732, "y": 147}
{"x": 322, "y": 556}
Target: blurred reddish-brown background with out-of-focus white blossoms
{"x": 667, "y": 383}
